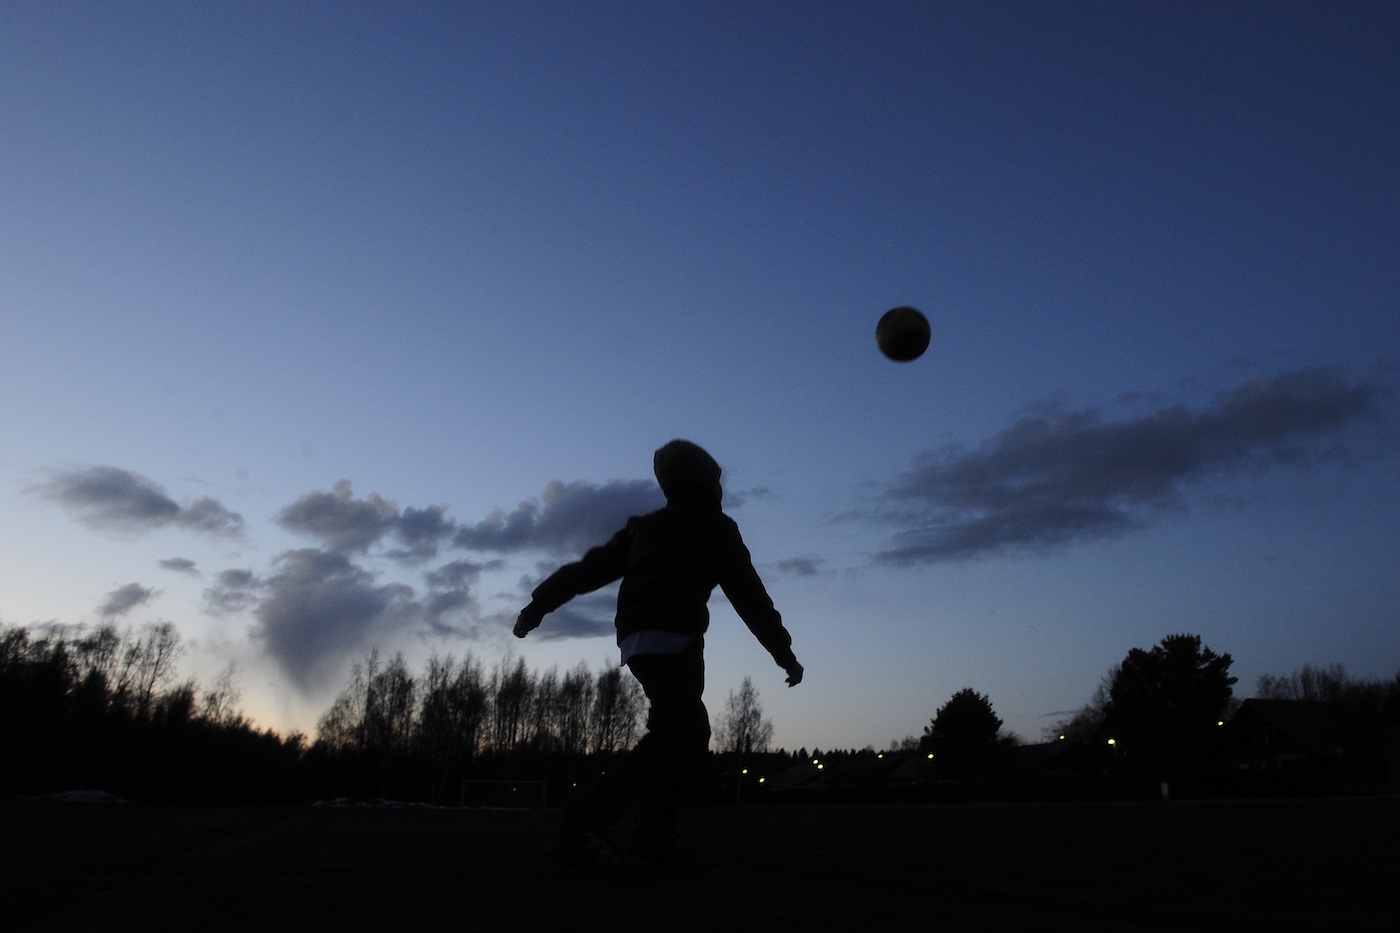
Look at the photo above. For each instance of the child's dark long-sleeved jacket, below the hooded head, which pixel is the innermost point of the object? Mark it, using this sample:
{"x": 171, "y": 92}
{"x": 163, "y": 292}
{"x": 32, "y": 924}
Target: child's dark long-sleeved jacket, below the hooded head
{"x": 670, "y": 561}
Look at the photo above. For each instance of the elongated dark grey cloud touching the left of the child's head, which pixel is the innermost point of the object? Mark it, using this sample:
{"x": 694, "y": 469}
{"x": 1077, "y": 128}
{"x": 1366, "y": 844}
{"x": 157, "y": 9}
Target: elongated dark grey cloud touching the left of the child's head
{"x": 566, "y": 519}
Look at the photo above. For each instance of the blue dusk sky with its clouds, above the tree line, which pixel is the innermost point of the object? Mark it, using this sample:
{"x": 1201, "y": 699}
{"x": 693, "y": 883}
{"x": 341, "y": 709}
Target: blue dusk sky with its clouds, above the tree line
{"x": 330, "y": 327}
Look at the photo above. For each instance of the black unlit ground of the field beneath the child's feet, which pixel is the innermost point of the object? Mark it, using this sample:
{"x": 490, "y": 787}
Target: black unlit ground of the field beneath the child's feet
{"x": 1133, "y": 866}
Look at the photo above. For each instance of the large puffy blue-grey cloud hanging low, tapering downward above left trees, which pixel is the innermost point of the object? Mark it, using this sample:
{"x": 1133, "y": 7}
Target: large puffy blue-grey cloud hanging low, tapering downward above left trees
{"x": 318, "y": 607}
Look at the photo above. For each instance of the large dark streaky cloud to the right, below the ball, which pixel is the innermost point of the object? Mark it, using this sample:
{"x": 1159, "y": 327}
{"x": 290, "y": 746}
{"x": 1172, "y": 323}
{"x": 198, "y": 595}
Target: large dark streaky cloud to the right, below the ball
{"x": 1058, "y": 477}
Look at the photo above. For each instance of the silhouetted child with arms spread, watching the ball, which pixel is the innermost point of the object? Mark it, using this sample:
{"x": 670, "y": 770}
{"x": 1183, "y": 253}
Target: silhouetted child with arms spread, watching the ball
{"x": 670, "y": 561}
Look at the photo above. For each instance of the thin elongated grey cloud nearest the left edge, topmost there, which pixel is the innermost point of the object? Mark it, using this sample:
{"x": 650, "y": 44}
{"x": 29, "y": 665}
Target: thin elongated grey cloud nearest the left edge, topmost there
{"x": 118, "y": 501}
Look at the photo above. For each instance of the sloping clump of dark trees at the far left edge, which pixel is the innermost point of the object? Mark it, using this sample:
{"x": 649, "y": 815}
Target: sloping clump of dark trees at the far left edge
{"x": 108, "y": 711}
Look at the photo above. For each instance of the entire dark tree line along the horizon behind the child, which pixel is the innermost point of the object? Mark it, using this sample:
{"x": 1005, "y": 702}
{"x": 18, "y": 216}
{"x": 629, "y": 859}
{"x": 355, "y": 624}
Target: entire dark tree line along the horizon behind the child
{"x": 108, "y": 710}
